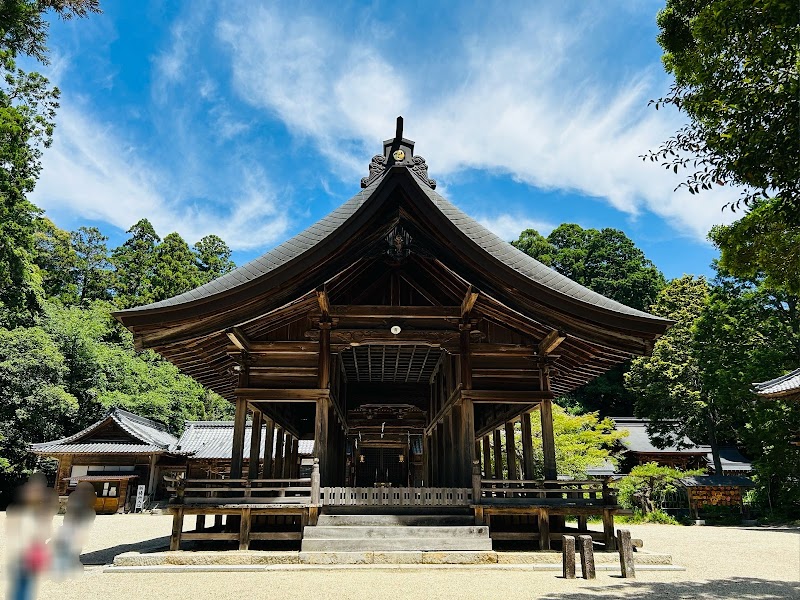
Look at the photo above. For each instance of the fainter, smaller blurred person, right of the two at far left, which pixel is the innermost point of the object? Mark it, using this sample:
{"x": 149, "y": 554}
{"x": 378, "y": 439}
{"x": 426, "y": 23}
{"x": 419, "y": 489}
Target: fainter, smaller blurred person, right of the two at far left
{"x": 71, "y": 536}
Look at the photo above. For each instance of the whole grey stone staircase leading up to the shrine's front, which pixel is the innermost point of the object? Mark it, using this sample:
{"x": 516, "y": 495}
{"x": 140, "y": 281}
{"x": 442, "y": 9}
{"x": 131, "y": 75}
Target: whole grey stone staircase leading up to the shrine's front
{"x": 396, "y": 533}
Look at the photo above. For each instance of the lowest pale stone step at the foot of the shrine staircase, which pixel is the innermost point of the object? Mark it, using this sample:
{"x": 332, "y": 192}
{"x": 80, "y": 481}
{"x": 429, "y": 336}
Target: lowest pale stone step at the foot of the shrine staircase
{"x": 396, "y": 544}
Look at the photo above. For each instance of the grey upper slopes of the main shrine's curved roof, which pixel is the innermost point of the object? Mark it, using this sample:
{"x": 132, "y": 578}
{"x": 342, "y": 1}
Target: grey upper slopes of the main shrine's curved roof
{"x": 488, "y": 241}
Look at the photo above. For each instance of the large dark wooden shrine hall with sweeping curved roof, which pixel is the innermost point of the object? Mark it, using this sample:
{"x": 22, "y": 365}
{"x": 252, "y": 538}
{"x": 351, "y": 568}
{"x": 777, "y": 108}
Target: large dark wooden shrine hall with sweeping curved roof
{"x": 407, "y": 340}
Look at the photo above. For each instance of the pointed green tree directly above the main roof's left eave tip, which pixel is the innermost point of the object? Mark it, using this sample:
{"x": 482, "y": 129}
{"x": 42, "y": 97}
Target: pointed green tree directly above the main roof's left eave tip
{"x": 134, "y": 263}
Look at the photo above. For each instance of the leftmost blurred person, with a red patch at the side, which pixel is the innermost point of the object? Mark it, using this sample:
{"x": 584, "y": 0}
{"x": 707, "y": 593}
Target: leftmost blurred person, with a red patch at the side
{"x": 29, "y": 523}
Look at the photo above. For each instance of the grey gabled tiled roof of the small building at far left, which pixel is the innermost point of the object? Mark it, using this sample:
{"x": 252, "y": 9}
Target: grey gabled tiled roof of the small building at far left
{"x": 152, "y": 435}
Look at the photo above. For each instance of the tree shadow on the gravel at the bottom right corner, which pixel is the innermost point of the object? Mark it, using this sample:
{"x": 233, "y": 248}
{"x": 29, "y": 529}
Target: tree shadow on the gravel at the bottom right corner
{"x": 737, "y": 587}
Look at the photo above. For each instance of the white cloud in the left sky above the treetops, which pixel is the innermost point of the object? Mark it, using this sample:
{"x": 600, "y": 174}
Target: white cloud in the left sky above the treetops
{"x": 91, "y": 171}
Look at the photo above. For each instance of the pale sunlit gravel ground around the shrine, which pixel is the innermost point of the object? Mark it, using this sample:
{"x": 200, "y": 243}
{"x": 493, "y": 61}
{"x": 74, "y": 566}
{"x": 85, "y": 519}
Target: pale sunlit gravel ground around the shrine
{"x": 721, "y": 562}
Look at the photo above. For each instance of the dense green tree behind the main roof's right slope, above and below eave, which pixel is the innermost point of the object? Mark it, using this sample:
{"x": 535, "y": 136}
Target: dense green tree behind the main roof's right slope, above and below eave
{"x": 608, "y": 262}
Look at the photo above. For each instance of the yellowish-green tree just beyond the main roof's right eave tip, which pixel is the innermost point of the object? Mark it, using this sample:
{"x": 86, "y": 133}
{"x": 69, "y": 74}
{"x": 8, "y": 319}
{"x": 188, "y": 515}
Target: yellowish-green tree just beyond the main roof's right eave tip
{"x": 669, "y": 384}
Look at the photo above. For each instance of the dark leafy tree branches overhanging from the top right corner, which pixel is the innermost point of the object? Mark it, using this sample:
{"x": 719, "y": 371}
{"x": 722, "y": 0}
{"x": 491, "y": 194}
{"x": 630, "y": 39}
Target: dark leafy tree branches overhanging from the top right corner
{"x": 736, "y": 65}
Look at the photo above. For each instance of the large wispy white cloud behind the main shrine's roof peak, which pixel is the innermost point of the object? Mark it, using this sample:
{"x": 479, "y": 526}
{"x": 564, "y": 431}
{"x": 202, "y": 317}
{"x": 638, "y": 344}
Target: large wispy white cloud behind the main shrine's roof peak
{"x": 517, "y": 101}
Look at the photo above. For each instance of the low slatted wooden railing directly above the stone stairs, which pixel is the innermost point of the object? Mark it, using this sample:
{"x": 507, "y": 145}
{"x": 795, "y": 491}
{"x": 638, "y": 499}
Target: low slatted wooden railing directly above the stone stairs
{"x": 391, "y": 496}
